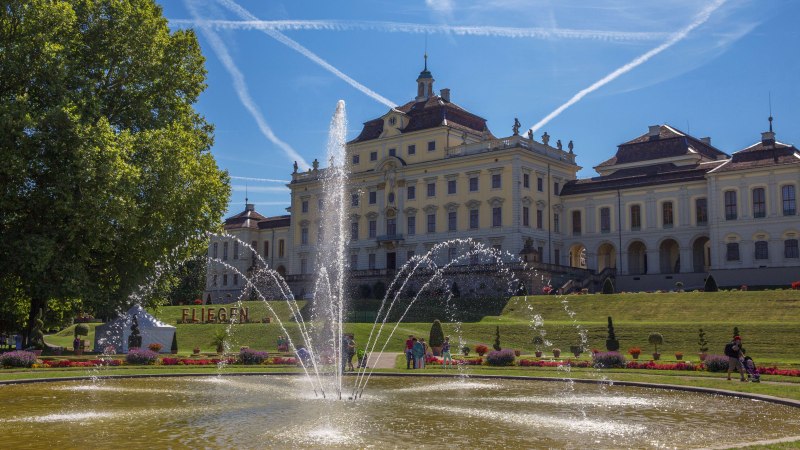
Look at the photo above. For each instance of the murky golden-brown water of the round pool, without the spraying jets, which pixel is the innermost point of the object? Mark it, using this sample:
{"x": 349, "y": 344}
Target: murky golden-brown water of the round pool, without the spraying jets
{"x": 282, "y": 412}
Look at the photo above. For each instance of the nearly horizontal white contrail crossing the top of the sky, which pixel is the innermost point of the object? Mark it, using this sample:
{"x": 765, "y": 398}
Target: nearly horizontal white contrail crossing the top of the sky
{"x": 400, "y": 27}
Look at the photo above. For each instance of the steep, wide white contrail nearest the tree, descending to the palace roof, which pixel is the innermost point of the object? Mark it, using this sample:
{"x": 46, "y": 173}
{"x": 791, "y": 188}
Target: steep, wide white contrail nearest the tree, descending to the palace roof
{"x": 241, "y": 90}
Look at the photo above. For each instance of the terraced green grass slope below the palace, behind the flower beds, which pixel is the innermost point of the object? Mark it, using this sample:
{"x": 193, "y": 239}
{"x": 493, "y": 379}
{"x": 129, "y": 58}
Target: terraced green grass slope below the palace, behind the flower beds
{"x": 769, "y": 322}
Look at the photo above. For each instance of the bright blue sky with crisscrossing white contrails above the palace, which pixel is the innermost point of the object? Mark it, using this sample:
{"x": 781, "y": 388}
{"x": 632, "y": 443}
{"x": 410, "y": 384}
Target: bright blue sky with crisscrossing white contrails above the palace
{"x": 596, "y": 74}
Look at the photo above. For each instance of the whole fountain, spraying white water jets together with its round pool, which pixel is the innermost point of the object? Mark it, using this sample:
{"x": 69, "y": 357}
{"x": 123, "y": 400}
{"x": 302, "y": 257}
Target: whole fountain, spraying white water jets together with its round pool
{"x": 282, "y": 411}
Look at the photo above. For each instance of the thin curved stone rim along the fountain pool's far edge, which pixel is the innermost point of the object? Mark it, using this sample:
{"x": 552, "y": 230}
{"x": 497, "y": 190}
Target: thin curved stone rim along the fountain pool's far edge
{"x": 672, "y": 387}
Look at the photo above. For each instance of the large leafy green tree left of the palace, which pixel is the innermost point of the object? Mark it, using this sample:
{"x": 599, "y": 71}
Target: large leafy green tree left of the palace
{"x": 105, "y": 167}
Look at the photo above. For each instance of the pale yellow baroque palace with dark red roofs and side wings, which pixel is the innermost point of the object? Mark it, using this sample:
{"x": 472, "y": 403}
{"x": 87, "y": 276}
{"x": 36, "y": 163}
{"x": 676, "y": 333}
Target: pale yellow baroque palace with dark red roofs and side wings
{"x": 667, "y": 207}
